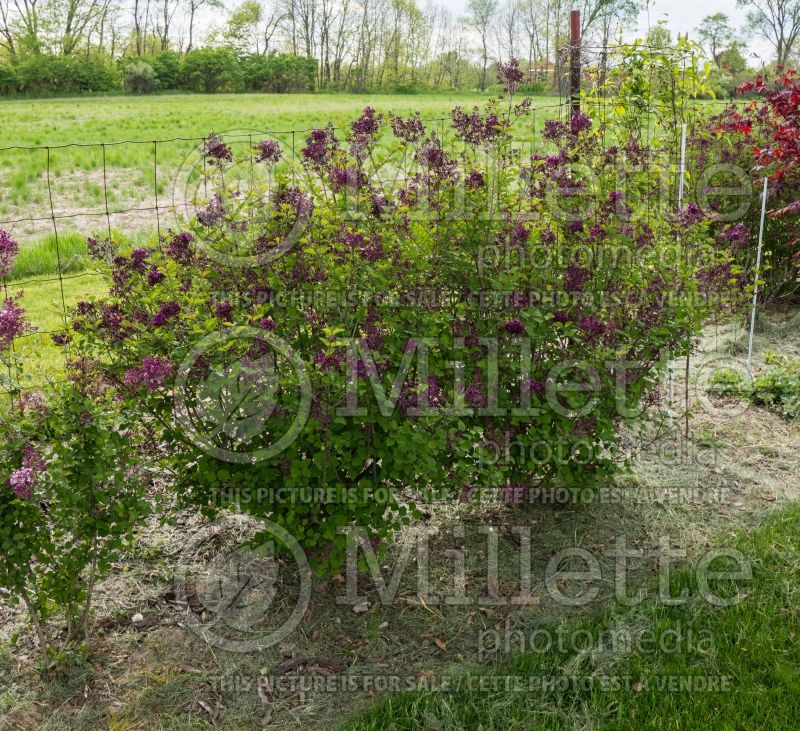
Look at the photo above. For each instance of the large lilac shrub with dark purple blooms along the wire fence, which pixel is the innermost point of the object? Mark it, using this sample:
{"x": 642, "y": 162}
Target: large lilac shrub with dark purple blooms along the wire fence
{"x": 418, "y": 303}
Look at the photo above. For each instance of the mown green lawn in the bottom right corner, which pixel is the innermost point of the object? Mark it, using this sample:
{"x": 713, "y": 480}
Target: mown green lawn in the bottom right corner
{"x": 754, "y": 644}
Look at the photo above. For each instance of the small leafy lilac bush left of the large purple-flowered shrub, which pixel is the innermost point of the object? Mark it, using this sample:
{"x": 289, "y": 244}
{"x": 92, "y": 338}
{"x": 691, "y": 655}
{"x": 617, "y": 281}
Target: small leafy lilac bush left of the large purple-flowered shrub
{"x": 80, "y": 504}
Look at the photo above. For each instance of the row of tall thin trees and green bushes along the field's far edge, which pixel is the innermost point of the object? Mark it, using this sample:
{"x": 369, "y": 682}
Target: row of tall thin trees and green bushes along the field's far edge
{"x": 397, "y": 45}
